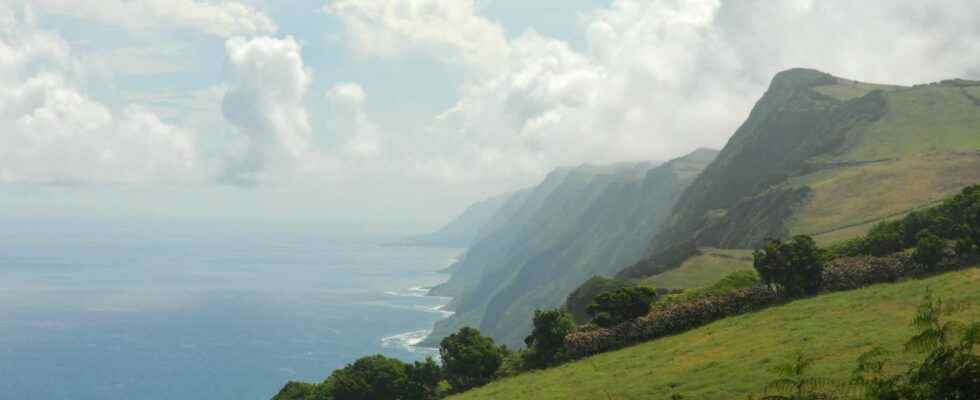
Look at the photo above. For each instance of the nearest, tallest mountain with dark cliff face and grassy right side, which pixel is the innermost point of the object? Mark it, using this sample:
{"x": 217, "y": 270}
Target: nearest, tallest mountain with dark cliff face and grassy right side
{"x": 818, "y": 155}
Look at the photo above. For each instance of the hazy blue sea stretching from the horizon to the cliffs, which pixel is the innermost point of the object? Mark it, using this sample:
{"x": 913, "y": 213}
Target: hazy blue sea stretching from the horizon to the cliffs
{"x": 200, "y": 312}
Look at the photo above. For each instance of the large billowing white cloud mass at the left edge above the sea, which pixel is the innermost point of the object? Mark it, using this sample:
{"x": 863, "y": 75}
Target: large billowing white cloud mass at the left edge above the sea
{"x": 55, "y": 134}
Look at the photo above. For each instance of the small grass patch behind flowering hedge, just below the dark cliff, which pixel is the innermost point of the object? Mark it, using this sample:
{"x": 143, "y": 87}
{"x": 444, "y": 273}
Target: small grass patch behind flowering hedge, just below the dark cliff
{"x": 703, "y": 270}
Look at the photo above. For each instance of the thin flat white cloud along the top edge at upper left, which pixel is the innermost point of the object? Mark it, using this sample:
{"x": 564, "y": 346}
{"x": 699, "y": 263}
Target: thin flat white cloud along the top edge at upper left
{"x": 222, "y": 18}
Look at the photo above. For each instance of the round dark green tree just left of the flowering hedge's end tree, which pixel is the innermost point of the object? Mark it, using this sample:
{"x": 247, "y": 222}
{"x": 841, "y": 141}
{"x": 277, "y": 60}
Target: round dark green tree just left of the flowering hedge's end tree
{"x": 469, "y": 359}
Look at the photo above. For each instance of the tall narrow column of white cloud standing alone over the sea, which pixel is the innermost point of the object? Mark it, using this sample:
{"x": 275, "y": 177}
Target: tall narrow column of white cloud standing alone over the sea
{"x": 265, "y": 101}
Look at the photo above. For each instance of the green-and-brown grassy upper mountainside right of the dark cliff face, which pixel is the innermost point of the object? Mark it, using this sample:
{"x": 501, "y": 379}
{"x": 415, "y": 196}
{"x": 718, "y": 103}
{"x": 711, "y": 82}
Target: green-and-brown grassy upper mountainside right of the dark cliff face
{"x": 930, "y": 136}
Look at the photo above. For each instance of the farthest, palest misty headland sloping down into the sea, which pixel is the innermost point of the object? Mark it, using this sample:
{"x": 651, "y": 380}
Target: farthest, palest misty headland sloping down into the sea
{"x": 463, "y": 230}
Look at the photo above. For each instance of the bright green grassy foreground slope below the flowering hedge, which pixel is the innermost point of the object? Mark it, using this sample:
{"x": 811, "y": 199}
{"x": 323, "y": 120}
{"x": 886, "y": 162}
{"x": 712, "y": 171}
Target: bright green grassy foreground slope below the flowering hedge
{"x": 734, "y": 357}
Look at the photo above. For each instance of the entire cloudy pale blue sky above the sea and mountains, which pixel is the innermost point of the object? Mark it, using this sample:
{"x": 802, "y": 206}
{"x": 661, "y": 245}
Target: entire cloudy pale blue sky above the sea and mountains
{"x": 396, "y": 114}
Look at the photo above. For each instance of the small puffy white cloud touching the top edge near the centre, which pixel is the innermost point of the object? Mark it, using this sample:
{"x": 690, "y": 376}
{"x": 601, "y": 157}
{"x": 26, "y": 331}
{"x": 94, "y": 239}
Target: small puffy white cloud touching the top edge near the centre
{"x": 447, "y": 29}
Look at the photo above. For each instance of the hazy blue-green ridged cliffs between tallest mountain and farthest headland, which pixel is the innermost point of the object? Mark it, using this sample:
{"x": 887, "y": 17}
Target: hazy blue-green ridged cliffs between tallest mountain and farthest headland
{"x": 593, "y": 220}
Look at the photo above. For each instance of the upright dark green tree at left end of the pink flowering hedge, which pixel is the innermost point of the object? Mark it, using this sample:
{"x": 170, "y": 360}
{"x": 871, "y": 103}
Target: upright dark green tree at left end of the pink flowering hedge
{"x": 546, "y": 343}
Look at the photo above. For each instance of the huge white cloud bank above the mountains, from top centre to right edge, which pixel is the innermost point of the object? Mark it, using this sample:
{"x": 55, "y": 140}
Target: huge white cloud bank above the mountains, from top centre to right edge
{"x": 657, "y": 78}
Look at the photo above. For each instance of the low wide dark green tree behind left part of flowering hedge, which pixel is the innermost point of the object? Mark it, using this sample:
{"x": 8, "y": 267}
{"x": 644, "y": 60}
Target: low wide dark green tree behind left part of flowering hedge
{"x": 621, "y": 305}
